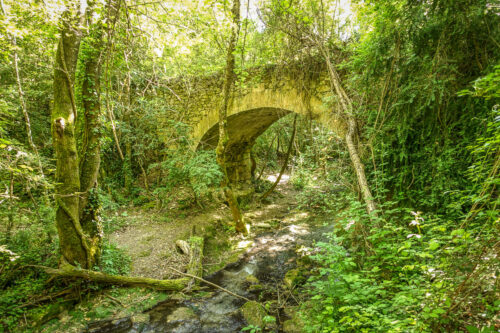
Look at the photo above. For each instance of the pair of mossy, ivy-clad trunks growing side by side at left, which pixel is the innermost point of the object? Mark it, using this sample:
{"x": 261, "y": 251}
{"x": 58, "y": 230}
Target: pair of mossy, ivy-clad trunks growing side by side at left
{"x": 77, "y": 221}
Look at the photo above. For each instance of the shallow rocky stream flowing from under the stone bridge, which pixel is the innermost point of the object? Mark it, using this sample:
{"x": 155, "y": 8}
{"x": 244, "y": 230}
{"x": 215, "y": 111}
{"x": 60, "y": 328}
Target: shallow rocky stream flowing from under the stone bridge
{"x": 257, "y": 275}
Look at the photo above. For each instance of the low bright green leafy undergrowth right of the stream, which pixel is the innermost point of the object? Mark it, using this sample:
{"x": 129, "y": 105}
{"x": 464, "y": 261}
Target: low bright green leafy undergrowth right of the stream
{"x": 398, "y": 273}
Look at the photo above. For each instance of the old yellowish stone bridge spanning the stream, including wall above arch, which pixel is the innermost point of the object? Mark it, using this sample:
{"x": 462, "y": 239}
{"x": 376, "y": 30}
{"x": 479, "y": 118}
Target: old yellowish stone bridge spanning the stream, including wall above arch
{"x": 266, "y": 95}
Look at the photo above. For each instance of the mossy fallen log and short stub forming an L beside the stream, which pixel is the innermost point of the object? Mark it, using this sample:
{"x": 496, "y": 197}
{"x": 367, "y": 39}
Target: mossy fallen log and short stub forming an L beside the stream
{"x": 194, "y": 268}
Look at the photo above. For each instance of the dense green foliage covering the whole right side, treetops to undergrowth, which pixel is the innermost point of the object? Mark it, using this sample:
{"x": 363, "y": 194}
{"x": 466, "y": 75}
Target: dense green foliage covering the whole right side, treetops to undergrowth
{"x": 433, "y": 146}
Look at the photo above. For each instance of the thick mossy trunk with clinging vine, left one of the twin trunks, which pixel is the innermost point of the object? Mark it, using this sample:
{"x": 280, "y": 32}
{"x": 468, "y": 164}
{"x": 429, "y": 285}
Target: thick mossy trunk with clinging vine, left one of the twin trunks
{"x": 75, "y": 246}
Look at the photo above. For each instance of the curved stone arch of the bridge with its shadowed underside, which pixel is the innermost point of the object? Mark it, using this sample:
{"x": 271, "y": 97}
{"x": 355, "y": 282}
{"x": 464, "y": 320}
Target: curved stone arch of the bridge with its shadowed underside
{"x": 250, "y": 114}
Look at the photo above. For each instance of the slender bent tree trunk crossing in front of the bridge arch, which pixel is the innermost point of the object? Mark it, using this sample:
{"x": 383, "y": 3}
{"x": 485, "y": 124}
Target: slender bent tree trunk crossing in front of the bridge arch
{"x": 223, "y": 134}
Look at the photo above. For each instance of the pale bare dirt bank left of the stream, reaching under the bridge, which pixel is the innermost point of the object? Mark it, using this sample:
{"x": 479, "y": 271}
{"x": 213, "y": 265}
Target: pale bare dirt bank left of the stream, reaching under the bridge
{"x": 149, "y": 238}
